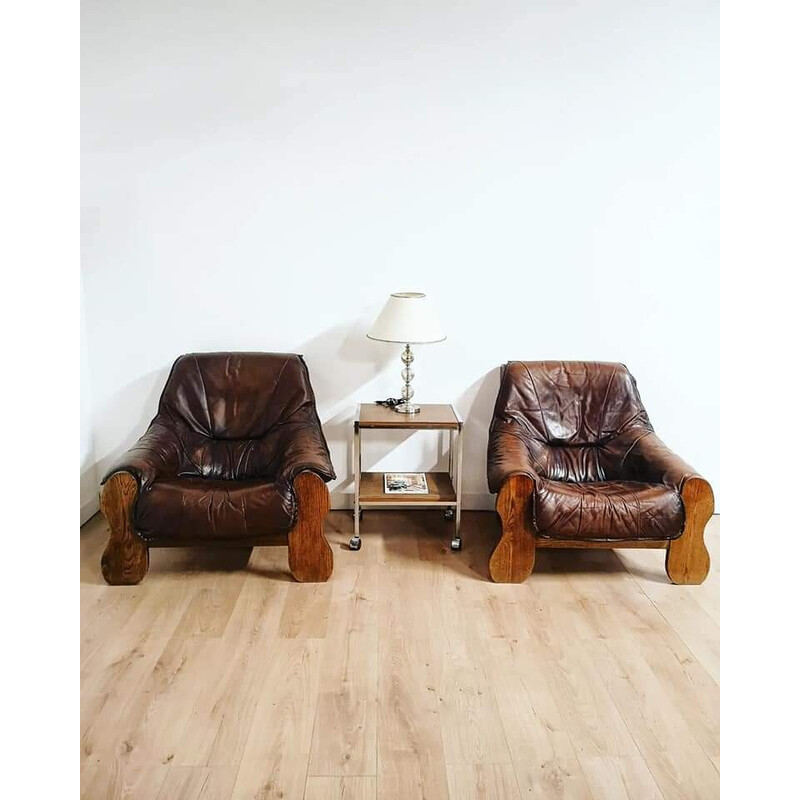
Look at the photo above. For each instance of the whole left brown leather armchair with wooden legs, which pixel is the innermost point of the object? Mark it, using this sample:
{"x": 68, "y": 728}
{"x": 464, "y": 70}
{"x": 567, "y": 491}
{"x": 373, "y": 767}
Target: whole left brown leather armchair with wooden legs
{"x": 234, "y": 456}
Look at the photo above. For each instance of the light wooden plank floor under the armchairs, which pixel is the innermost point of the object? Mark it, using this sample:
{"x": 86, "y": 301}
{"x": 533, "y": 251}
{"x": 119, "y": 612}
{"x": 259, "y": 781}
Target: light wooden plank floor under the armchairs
{"x": 407, "y": 675}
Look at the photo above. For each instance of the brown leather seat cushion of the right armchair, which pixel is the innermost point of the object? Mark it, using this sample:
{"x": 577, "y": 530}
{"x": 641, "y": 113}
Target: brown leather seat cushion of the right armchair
{"x": 607, "y": 510}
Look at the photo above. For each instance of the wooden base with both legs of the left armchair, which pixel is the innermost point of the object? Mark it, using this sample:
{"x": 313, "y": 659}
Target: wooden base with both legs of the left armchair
{"x": 126, "y": 558}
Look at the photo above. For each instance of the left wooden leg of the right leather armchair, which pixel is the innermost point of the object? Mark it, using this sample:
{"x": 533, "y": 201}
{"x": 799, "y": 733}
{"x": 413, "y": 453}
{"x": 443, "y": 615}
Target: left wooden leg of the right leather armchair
{"x": 512, "y": 559}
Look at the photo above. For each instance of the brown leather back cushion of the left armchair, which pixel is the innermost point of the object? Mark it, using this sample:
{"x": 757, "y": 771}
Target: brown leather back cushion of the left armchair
{"x": 226, "y": 396}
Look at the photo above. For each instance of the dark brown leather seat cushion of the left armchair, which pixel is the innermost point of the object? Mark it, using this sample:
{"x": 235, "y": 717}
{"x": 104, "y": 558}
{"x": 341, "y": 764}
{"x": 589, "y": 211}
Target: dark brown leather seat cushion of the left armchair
{"x": 198, "y": 509}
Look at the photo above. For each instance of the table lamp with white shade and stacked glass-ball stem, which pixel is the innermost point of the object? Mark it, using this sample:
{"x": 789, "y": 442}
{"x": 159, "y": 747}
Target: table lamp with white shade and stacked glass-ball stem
{"x": 407, "y": 318}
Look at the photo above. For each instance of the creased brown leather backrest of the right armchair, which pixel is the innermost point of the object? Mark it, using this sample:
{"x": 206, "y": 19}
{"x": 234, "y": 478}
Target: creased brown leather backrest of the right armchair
{"x": 575, "y": 416}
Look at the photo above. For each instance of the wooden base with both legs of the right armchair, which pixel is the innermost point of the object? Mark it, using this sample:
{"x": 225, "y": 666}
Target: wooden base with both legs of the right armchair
{"x": 513, "y": 558}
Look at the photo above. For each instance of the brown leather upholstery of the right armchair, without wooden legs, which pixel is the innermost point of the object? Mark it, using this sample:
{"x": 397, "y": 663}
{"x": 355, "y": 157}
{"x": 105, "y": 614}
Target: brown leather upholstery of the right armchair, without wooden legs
{"x": 580, "y": 431}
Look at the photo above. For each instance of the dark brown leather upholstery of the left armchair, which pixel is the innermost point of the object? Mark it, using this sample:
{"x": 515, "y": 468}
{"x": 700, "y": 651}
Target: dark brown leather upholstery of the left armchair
{"x": 218, "y": 460}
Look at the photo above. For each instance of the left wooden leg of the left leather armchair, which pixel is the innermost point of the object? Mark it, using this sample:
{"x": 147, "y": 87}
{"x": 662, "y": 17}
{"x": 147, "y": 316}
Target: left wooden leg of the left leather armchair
{"x": 126, "y": 558}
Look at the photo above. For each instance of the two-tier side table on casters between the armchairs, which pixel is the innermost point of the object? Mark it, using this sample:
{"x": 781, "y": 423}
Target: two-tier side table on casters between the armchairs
{"x": 444, "y": 488}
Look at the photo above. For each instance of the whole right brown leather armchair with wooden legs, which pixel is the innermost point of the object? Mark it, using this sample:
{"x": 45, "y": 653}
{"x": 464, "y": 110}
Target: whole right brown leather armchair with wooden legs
{"x": 575, "y": 463}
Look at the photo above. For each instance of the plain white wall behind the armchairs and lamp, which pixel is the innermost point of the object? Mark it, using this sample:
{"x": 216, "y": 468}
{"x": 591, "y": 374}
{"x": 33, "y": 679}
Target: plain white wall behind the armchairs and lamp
{"x": 261, "y": 175}
